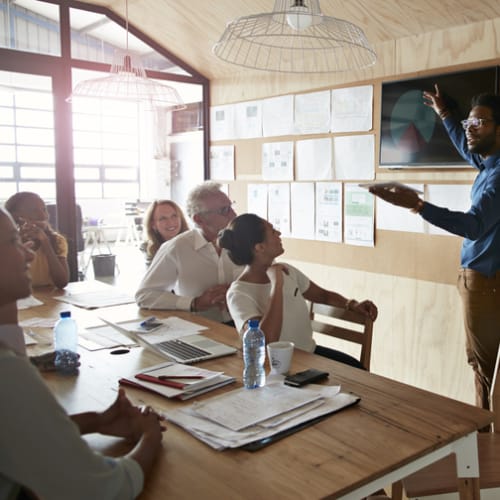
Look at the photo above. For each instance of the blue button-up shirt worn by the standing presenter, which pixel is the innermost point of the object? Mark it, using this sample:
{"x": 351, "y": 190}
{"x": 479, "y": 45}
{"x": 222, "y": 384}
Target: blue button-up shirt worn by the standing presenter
{"x": 480, "y": 225}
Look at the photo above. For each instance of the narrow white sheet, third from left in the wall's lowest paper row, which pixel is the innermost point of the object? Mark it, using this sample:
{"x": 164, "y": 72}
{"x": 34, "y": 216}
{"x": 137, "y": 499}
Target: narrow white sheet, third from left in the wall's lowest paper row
{"x": 302, "y": 210}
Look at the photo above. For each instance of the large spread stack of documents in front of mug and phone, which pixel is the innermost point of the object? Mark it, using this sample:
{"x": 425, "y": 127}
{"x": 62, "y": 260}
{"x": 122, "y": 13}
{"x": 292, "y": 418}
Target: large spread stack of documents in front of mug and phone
{"x": 257, "y": 417}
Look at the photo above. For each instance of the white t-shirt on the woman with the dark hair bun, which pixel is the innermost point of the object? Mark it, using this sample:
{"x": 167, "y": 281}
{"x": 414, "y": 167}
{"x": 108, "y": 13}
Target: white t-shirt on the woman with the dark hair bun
{"x": 250, "y": 300}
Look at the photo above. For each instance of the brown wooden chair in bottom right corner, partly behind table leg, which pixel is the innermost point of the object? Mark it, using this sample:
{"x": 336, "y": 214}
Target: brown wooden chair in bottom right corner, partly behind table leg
{"x": 439, "y": 480}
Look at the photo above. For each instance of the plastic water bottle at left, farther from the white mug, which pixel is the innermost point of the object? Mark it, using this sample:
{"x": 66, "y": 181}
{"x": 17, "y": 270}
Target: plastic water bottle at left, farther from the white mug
{"x": 66, "y": 344}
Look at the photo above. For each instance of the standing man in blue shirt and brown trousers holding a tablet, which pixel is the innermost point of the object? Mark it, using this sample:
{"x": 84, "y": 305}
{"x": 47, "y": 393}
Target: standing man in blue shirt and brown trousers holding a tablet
{"x": 477, "y": 139}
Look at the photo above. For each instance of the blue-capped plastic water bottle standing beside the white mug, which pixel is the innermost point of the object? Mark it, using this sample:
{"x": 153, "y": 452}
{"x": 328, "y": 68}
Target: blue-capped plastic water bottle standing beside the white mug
{"x": 254, "y": 355}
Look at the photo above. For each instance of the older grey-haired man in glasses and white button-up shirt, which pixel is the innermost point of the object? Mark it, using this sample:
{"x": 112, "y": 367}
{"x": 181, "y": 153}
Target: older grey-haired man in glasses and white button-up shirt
{"x": 190, "y": 272}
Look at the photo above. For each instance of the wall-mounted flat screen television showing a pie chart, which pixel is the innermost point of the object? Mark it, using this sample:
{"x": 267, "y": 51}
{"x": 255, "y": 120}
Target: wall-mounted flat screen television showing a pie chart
{"x": 411, "y": 134}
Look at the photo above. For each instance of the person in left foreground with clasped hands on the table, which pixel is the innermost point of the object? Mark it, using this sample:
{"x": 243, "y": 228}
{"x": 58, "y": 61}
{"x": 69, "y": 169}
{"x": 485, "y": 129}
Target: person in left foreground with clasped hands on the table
{"x": 42, "y": 454}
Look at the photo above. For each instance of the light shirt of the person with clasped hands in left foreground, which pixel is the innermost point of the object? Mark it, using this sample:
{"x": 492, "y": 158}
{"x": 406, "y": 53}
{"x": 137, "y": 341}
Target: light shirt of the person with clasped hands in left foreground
{"x": 41, "y": 448}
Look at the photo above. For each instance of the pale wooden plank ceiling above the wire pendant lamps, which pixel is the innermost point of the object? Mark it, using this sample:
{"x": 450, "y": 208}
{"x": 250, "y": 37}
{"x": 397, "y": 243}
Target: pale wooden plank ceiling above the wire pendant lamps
{"x": 190, "y": 28}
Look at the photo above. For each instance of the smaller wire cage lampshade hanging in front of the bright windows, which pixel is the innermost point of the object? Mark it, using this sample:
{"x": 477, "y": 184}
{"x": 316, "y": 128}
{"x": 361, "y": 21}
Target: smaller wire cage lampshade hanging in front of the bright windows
{"x": 128, "y": 80}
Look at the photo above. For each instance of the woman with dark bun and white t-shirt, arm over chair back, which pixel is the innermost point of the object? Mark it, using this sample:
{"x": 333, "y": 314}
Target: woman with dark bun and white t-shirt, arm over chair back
{"x": 275, "y": 293}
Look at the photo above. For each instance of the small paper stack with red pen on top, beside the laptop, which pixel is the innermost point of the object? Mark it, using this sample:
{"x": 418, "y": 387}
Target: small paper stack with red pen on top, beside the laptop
{"x": 176, "y": 380}
